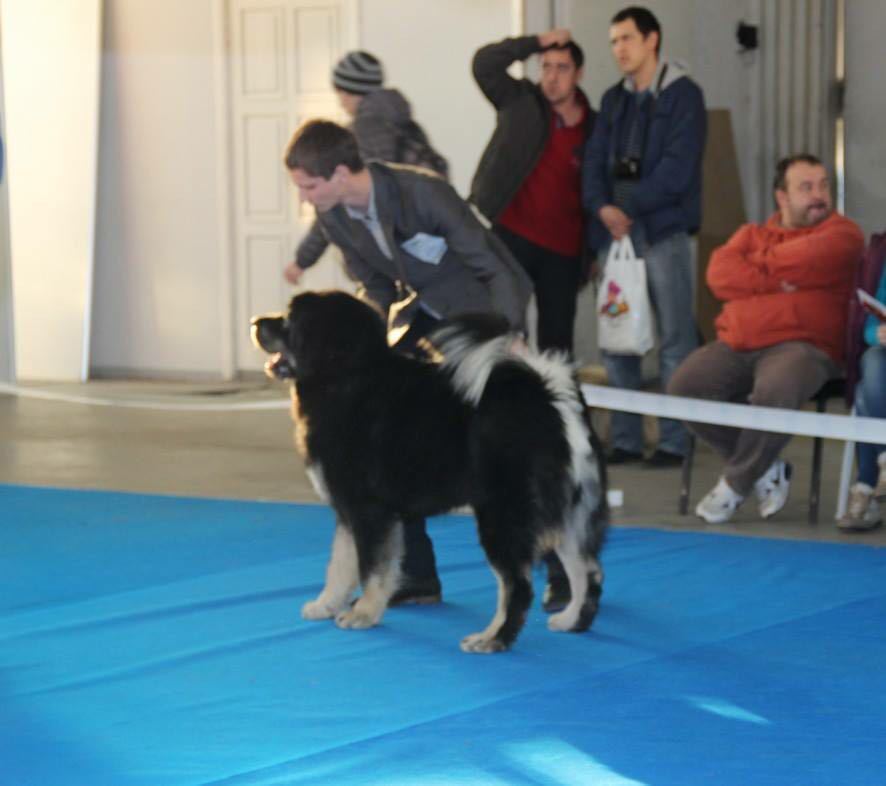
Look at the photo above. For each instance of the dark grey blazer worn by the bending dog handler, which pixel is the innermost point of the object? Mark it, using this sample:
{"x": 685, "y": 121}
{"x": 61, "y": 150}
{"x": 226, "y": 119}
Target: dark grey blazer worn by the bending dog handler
{"x": 475, "y": 274}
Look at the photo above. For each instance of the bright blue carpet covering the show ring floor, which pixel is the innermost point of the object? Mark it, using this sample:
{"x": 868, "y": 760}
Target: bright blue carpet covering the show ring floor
{"x": 154, "y": 641}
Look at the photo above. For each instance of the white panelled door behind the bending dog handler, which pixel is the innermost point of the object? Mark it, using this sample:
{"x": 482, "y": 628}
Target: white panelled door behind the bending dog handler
{"x": 281, "y": 57}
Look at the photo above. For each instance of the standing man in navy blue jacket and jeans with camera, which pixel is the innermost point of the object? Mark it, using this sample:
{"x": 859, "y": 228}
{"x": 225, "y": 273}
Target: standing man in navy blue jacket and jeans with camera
{"x": 642, "y": 177}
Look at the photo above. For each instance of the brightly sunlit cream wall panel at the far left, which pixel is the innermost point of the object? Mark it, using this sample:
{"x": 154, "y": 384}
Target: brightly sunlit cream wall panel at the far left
{"x": 51, "y": 63}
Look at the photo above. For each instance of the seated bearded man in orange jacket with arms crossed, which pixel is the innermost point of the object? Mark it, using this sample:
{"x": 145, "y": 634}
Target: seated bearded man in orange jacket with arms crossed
{"x": 785, "y": 286}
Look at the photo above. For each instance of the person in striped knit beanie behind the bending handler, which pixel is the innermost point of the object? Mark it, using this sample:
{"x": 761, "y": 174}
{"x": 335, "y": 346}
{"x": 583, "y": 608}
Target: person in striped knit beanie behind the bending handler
{"x": 385, "y": 131}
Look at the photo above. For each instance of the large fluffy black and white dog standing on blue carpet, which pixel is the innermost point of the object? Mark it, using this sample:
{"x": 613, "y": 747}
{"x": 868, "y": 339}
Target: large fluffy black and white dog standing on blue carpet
{"x": 388, "y": 438}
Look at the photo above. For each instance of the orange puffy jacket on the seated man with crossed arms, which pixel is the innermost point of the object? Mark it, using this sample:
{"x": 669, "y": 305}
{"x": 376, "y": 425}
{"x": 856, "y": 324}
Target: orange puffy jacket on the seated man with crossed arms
{"x": 748, "y": 272}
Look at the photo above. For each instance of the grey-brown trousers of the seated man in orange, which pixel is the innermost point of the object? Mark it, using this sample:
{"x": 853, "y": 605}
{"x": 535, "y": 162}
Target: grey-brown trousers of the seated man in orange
{"x": 785, "y": 375}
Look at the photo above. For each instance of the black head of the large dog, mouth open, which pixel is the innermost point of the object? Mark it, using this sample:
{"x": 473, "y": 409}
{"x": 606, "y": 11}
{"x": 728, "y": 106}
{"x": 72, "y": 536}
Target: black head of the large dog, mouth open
{"x": 323, "y": 333}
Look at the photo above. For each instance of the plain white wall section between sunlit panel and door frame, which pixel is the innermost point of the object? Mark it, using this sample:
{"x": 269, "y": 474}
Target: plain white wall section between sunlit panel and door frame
{"x": 158, "y": 306}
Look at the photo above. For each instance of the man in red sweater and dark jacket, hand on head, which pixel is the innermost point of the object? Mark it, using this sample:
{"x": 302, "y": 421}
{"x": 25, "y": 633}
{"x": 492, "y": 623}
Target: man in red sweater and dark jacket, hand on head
{"x": 528, "y": 180}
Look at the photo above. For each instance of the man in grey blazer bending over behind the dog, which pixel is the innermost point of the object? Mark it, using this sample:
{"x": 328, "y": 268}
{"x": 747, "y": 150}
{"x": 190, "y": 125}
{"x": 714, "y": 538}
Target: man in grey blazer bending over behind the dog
{"x": 418, "y": 250}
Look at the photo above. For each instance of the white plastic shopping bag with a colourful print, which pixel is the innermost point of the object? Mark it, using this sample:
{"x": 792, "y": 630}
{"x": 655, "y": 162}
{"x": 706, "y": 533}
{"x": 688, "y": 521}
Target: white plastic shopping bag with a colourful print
{"x": 624, "y": 315}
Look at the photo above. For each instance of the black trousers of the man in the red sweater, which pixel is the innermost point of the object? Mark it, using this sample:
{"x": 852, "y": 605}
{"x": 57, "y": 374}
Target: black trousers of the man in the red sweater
{"x": 555, "y": 279}
